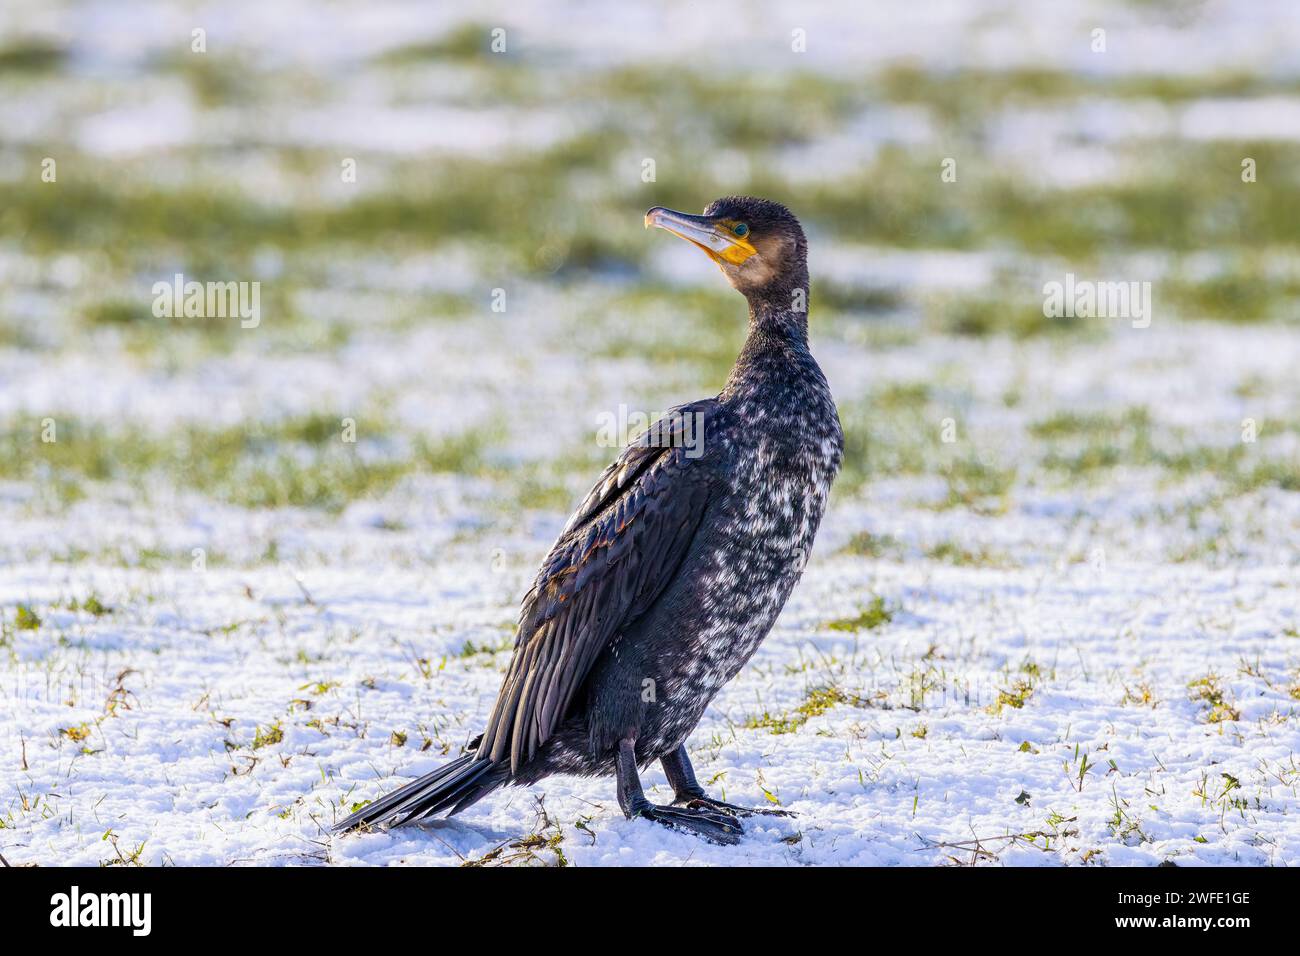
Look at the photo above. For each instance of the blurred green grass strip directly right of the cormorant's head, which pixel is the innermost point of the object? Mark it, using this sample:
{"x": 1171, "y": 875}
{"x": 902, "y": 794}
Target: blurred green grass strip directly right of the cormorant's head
{"x": 1194, "y": 201}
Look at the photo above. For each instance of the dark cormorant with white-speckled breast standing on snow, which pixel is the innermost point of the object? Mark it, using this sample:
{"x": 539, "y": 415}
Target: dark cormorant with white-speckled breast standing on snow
{"x": 674, "y": 568}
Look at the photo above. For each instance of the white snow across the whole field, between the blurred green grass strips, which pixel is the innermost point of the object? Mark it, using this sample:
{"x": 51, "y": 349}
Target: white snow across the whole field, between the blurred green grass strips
{"x": 1107, "y": 674}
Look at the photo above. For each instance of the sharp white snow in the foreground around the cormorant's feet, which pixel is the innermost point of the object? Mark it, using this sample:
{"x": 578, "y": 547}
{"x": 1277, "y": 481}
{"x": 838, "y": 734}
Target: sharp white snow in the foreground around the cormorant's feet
{"x": 865, "y": 788}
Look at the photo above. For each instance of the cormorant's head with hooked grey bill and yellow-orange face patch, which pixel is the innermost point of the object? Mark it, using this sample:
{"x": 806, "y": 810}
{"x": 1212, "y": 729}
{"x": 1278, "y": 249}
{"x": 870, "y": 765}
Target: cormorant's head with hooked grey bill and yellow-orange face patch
{"x": 757, "y": 244}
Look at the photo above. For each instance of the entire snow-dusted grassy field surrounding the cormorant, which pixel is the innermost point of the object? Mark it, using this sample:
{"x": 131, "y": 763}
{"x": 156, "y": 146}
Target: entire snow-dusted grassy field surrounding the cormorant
{"x": 1054, "y": 612}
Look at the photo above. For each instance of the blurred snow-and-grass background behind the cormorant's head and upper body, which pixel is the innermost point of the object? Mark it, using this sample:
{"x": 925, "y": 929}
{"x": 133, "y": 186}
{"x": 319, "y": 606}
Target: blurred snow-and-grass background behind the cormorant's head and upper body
{"x": 525, "y": 170}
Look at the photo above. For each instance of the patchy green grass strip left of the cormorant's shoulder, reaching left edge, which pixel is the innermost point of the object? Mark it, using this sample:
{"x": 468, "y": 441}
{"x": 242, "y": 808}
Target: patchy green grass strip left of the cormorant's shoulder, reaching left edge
{"x": 296, "y": 462}
